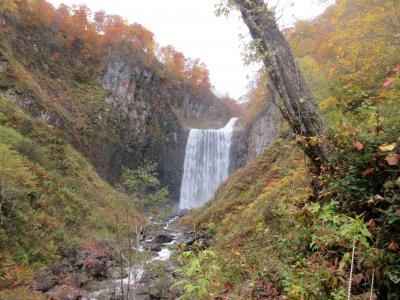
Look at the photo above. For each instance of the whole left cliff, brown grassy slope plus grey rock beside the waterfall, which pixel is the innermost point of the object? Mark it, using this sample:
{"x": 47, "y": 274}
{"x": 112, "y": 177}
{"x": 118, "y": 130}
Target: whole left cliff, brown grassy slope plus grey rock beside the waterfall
{"x": 122, "y": 117}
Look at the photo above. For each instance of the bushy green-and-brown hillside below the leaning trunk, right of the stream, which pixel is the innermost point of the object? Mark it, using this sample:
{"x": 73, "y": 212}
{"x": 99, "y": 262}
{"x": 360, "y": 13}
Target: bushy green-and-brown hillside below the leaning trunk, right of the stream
{"x": 271, "y": 240}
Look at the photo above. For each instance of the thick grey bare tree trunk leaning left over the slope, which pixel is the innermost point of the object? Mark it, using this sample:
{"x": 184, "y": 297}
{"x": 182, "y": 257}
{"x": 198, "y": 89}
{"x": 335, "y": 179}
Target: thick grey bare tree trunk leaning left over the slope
{"x": 294, "y": 97}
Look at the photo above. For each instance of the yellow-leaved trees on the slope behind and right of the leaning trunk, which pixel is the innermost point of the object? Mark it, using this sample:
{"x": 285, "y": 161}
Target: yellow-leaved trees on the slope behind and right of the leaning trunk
{"x": 356, "y": 42}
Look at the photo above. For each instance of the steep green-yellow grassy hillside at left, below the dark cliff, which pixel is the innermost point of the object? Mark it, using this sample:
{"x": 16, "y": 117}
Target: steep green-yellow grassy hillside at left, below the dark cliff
{"x": 51, "y": 197}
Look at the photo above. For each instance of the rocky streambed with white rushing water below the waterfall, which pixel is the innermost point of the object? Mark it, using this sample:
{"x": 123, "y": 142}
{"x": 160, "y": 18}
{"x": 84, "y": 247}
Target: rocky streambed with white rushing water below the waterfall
{"x": 96, "y": 273}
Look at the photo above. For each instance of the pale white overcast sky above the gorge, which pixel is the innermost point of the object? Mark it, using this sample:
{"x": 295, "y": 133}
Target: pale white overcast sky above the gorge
{"x": 192, "y": 28}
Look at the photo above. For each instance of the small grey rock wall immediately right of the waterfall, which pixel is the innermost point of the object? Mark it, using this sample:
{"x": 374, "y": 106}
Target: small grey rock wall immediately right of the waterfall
{"x": 248, "y": 143}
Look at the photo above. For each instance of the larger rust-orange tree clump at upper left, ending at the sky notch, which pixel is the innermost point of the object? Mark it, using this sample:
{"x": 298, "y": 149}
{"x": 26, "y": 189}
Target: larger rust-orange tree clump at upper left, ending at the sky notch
{"x": 86, "y": 36}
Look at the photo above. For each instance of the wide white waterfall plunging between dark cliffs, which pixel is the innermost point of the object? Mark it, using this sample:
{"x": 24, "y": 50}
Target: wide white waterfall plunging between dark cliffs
{"x": 206, "y": 164}
